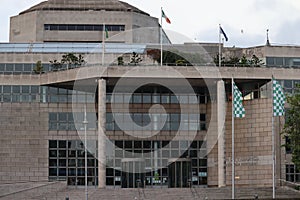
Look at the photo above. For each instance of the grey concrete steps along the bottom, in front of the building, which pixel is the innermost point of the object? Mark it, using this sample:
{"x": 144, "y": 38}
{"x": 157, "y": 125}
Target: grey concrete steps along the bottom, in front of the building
{"x": 170, "y": 194}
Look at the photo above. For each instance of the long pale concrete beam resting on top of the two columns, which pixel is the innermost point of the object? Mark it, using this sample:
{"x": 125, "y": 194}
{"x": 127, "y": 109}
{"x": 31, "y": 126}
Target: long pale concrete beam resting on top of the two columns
{"x": 189, "y": 72}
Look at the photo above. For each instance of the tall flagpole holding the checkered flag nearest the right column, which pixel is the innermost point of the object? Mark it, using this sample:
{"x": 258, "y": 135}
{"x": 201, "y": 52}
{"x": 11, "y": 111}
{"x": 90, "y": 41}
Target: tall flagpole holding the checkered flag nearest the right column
{"x": 232, "y": 142}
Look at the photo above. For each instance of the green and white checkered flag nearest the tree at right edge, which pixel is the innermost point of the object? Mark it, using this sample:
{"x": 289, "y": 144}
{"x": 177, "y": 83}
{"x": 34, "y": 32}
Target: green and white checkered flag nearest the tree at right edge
{"x": 278, "y": 99}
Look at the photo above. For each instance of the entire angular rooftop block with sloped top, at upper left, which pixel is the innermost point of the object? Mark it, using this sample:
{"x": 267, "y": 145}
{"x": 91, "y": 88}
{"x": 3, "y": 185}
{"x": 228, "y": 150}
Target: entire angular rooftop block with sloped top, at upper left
{"x": 43, "y": 22}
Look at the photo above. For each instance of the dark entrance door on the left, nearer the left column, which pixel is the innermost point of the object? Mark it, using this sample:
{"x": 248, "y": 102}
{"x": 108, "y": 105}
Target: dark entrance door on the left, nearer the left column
{"x": 132, "y": 172}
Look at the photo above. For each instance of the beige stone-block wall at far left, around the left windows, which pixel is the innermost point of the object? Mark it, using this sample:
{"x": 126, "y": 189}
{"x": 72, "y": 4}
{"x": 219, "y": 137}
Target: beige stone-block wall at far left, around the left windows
{"x": 24, "y": 139}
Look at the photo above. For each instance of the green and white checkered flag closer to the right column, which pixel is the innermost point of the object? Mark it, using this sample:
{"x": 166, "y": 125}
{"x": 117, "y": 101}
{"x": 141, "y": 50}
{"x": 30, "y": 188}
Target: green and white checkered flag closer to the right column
{"x": 239, "y": 110}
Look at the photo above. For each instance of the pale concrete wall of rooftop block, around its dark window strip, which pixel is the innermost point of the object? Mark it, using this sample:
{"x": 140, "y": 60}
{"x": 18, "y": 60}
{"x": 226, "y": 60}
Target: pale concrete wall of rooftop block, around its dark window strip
{"x": 29, "y": 27}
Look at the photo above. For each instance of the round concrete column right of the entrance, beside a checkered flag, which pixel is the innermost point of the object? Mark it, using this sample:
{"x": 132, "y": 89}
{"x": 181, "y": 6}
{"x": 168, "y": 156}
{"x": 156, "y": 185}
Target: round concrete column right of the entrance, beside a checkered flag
{"x": 221, "y": 106}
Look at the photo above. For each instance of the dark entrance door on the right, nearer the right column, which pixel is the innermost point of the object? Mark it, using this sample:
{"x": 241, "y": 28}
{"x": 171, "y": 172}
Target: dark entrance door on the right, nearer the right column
{"x": 180, "y": 173}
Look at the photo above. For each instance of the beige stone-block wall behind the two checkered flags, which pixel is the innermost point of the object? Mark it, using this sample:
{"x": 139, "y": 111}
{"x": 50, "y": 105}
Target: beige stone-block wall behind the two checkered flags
{"x": 253, "y": 144}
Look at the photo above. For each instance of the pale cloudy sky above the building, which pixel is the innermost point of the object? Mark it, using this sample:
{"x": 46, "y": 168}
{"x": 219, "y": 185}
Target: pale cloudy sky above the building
{"x": 245, "y": 22}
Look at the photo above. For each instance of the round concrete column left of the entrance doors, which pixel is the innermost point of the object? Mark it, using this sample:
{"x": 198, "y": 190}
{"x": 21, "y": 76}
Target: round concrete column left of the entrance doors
{"x": 101, "y": 133}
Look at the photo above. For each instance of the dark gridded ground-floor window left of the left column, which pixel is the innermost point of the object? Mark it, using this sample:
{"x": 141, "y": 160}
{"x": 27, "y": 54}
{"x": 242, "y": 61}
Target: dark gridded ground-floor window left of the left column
{"x": 66, "y": 162}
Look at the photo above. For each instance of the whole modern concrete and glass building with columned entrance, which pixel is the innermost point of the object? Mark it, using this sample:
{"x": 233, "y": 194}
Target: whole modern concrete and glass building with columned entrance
{"x": 146, "y": 125}
